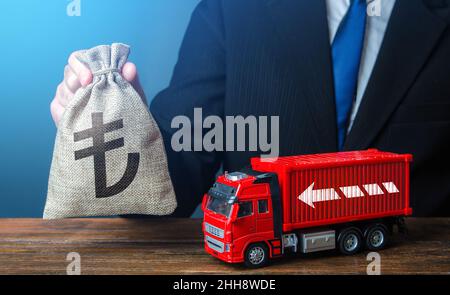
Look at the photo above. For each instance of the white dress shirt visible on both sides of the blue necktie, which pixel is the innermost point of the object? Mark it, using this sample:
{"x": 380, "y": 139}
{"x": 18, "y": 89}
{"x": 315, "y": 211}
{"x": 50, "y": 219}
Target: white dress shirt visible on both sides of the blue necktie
{"x": 375, "y": 29}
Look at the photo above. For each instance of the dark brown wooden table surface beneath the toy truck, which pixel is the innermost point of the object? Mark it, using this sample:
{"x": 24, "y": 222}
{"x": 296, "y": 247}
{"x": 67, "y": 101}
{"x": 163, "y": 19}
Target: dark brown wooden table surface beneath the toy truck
{"x": 174, "y": 246}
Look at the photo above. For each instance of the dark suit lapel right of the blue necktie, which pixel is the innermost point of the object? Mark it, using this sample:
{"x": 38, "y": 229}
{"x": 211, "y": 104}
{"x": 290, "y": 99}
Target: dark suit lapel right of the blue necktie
{"x": 411, "y": 35}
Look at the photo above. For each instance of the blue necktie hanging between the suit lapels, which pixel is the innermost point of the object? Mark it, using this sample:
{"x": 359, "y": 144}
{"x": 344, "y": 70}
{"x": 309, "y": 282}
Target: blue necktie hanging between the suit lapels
{"x": 346, "y": 52}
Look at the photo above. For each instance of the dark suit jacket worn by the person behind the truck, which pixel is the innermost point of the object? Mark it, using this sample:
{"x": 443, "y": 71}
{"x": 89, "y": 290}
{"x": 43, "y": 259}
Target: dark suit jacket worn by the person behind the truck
{"x": 272, "y": 57}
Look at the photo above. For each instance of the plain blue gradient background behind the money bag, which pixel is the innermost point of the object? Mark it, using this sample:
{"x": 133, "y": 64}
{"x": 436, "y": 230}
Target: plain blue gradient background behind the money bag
{"x": 36, "y": 38}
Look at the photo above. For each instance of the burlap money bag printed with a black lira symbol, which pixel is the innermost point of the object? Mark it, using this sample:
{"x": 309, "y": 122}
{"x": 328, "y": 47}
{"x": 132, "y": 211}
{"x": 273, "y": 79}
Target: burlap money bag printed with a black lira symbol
{"x": 109, "y": 157}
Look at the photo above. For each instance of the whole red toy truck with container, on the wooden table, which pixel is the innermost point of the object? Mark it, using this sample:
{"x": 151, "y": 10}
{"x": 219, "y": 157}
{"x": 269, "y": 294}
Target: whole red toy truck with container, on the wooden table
{"x": 310, "y": 203}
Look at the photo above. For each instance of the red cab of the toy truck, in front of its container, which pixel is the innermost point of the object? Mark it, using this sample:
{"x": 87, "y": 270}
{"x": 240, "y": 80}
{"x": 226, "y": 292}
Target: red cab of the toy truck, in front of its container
{"x": 238, "y": 214}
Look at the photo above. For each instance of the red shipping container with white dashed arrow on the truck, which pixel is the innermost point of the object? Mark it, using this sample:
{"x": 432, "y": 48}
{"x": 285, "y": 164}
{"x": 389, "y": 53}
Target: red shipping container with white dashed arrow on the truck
{"x": 324, "y": 189}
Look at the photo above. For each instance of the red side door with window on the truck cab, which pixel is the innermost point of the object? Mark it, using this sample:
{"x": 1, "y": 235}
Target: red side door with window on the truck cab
{"x": 245, "y": 222}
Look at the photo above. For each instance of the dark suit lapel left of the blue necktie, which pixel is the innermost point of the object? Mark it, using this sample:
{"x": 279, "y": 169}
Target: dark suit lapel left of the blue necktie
{"x": 303, "y": 29}
